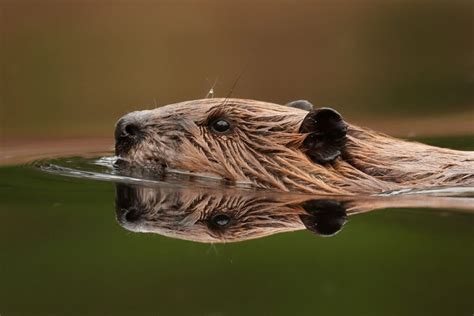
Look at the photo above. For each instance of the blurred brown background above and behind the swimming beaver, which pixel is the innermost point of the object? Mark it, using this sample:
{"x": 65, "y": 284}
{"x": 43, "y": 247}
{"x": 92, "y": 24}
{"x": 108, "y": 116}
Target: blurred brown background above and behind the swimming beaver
{"x": 71, "y": 68}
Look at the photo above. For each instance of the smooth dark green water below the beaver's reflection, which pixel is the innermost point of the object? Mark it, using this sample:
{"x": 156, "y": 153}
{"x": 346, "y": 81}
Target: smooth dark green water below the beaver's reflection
{"x": 63, "y": 252}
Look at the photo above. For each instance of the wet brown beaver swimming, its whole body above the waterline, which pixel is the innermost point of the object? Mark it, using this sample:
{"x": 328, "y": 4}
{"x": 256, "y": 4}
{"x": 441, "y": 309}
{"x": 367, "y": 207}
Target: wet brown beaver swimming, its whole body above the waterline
{"x": 283, "y": 147}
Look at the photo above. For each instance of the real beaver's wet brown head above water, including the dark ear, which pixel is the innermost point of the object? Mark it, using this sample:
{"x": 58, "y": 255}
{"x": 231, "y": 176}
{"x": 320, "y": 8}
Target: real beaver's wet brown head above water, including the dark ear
{"x": 244, "y": 141}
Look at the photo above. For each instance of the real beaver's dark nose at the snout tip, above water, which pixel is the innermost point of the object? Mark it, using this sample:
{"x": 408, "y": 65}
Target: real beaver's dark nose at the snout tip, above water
{"x": 128, "y": 132}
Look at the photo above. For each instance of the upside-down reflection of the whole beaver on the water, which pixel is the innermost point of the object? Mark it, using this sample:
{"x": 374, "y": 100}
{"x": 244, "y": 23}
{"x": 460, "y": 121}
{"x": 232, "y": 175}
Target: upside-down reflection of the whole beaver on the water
{"x": 230, "y": 215}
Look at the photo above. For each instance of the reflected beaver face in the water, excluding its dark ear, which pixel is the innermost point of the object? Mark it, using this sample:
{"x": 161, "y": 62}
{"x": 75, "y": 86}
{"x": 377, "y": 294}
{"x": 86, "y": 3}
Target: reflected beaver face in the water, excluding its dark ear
{"x": 206, "y": 216}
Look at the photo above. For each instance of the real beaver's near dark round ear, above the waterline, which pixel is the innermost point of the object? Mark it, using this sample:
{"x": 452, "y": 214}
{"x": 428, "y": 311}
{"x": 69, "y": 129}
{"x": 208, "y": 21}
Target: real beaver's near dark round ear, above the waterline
{"x": 327, "y": 135}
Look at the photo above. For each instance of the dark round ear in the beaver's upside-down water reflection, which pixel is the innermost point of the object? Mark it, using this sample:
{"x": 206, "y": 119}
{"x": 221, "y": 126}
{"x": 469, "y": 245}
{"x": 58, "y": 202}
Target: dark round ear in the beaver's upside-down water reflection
{"x": 324, "y": 217}
